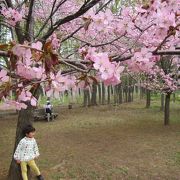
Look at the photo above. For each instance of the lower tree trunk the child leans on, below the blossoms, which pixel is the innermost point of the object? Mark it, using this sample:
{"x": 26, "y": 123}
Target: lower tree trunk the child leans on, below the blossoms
{"x": 25, "y": 118}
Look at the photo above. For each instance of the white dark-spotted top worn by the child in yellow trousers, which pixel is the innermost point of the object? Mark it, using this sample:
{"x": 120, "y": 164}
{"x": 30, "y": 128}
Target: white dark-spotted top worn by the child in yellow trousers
{"x": 26, "y": 150}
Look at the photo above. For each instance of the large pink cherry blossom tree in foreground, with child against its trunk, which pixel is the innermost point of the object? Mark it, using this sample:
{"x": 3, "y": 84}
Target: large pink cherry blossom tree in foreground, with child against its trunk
{"x": 103, "y": 44}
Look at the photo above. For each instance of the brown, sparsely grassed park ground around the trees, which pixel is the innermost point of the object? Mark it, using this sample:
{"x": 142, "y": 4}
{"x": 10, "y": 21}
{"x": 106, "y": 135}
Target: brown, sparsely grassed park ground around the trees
{"x": 125, "y": 142}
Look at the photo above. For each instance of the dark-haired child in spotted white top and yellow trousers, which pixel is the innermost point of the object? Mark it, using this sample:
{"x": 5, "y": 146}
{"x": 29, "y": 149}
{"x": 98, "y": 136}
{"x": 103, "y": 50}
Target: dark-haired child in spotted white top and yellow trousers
{"x": 26, "y": 152}
